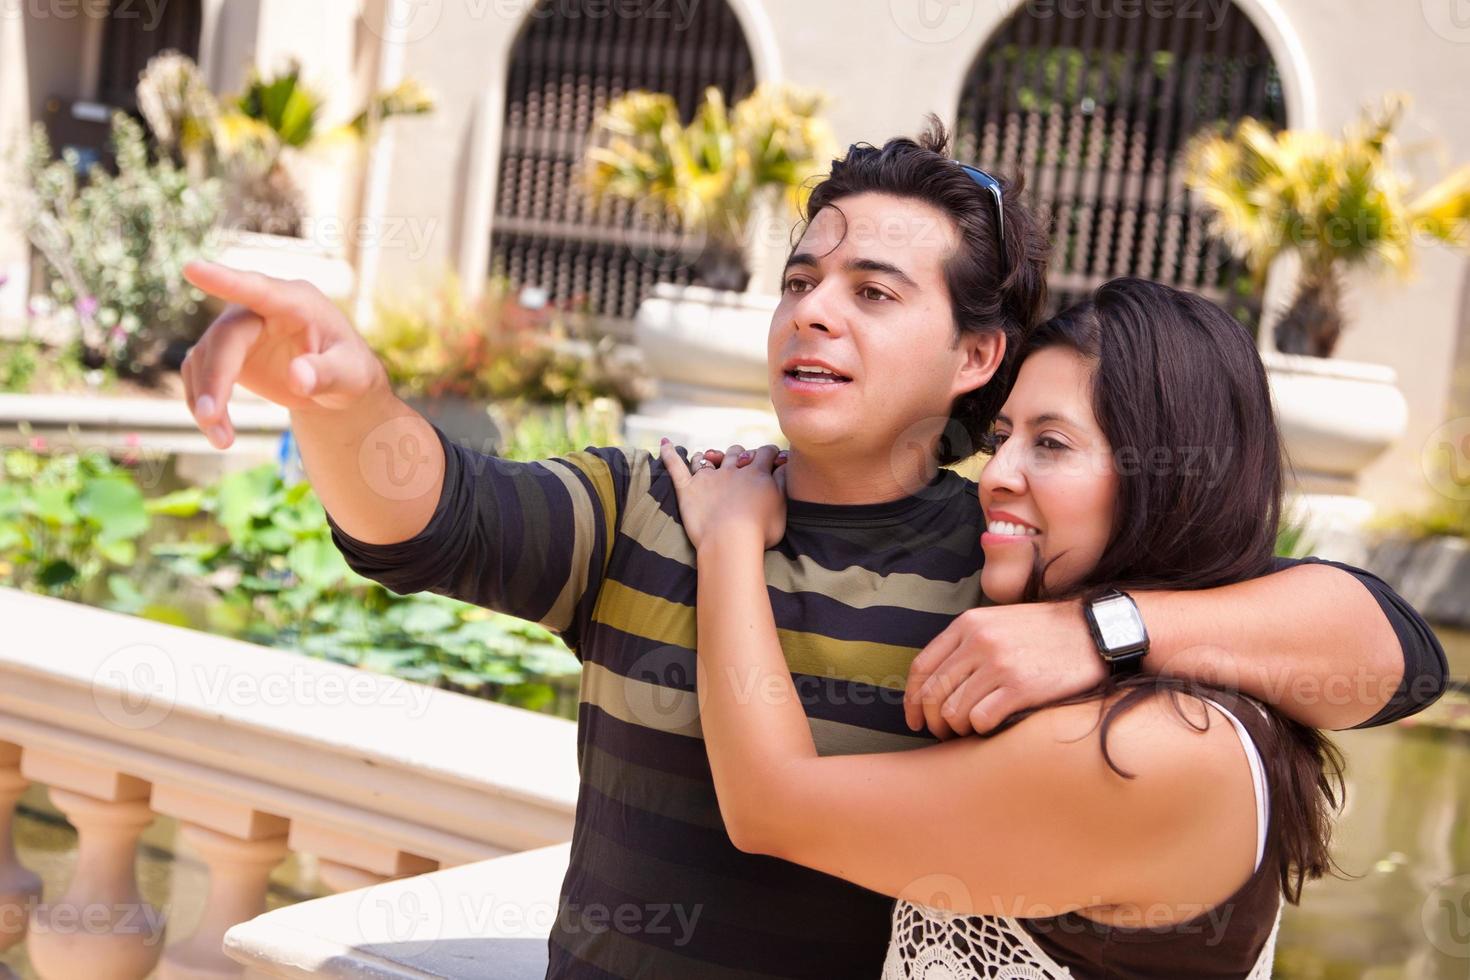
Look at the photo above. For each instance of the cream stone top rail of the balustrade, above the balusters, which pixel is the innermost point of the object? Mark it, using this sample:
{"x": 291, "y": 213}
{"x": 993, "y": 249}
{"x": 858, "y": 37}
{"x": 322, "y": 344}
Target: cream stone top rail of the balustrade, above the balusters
{"x": 431, "y": 774}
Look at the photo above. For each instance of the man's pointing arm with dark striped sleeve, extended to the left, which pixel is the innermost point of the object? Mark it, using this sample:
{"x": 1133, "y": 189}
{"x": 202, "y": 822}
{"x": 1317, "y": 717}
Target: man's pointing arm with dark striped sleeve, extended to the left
{"x": 408, "y": 508}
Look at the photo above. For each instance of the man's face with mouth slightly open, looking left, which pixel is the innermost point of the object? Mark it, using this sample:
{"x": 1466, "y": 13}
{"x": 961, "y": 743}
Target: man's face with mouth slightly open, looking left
{"x": 865, "y": 299}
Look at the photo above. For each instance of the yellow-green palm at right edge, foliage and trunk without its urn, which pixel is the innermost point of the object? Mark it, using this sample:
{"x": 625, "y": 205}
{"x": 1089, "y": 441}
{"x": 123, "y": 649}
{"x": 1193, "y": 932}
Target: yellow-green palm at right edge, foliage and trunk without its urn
{"x": 1335, "y": 202}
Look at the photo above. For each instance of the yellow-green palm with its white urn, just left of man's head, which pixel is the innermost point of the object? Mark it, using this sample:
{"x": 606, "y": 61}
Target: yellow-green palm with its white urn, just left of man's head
{"x": 725, "y": 190}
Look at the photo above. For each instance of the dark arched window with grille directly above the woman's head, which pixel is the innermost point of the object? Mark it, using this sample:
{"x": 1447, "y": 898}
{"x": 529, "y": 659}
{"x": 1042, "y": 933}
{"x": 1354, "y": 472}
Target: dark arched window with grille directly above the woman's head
{"x": 1094, "y": 112}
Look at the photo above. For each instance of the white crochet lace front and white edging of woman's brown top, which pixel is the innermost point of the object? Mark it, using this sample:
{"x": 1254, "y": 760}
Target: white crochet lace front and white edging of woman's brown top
{"x": 931, "y": 944}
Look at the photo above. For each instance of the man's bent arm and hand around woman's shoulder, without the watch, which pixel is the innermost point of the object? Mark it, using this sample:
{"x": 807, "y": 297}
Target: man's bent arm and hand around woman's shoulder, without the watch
{"x": 1331, "y": 646}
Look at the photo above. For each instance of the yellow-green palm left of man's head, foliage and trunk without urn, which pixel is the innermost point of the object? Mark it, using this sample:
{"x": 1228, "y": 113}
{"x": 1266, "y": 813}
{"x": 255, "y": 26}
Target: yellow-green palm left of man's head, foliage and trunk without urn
{"x": 712, "y": 177}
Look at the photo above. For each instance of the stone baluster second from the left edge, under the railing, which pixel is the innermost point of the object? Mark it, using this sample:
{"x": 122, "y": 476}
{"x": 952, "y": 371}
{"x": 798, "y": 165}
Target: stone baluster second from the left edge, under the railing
{"x": 101, "y": 929}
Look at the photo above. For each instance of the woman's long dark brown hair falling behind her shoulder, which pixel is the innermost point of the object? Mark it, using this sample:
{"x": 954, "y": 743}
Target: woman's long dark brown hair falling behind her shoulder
{"x": 1183, "y": 397}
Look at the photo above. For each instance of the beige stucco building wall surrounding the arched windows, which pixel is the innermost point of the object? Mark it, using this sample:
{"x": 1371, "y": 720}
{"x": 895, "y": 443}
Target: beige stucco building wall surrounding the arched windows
{"x": 429, "y": 195}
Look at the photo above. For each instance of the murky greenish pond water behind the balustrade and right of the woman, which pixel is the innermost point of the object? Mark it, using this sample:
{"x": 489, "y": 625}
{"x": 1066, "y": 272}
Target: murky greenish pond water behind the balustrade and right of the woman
{"x": 1405, "y": 835}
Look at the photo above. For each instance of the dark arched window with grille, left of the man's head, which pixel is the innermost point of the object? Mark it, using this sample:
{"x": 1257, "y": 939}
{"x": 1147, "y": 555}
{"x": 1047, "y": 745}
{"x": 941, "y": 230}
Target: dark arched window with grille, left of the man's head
{"x": 565, "y": 68}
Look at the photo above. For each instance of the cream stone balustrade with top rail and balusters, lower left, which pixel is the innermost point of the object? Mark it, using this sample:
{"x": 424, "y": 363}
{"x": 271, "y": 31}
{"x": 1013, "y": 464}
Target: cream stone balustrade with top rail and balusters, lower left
{"x": 257, "y": 753}
